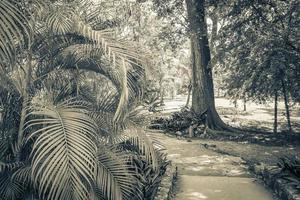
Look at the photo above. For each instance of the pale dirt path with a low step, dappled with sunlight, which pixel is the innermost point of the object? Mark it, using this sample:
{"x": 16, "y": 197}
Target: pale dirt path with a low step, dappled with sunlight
{"x": 205, "y": 174}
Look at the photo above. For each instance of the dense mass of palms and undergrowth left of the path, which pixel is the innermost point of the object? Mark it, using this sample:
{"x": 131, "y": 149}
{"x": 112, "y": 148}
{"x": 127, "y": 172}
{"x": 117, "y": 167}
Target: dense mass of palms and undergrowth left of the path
{"x": 69, "y": 88}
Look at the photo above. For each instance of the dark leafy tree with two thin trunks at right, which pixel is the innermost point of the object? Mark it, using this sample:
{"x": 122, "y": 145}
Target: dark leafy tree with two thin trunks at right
{"x": 256, "y": 44}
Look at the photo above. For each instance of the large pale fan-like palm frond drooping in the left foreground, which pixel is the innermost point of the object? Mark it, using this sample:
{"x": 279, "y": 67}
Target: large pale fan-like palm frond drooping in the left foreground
{"x": 63, "y": 155}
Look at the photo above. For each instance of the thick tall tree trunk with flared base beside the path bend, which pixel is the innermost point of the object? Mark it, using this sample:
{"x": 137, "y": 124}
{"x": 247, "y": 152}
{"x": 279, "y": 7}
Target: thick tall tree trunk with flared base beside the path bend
{"x": 203, "y": 94}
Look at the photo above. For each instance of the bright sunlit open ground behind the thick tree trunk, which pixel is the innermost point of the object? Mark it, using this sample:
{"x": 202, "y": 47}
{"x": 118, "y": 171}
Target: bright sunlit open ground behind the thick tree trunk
{"x": 256, "y": 115}
